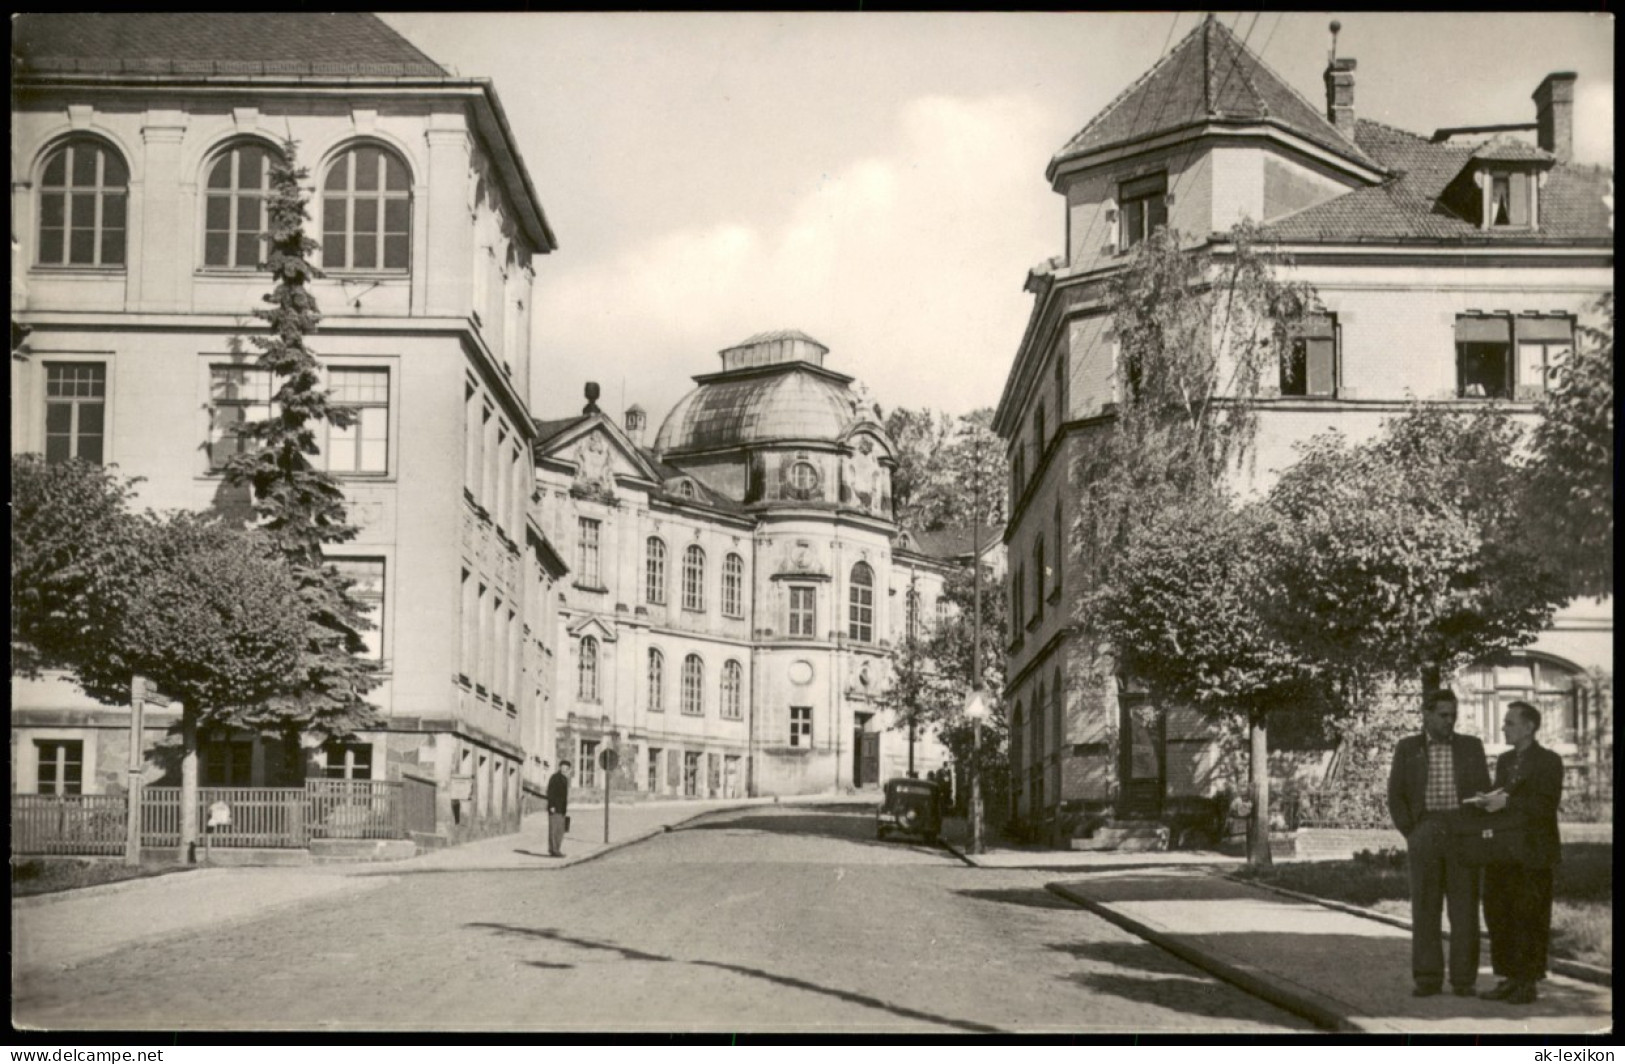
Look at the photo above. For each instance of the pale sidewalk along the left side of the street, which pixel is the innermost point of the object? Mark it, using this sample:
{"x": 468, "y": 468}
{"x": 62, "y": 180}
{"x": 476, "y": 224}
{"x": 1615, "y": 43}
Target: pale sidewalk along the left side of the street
{"x": 76, "y": 927}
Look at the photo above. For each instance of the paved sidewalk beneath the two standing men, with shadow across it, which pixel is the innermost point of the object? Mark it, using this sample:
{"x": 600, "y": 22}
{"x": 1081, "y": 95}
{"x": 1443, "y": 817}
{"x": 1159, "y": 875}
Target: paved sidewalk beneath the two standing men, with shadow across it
{"x": 1337, "y": 969}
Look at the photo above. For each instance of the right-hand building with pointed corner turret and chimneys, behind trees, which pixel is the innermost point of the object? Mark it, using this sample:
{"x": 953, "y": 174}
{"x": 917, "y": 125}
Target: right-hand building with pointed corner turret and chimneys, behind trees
{"x": 1452, "y": 270}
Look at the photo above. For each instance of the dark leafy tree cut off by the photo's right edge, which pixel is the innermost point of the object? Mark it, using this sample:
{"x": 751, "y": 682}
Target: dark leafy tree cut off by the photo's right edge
{"x": 1571, "y": 506}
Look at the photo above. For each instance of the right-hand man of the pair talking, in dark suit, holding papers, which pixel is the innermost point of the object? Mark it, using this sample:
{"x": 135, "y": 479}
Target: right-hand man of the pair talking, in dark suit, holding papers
{"x": 1519, "y": 897}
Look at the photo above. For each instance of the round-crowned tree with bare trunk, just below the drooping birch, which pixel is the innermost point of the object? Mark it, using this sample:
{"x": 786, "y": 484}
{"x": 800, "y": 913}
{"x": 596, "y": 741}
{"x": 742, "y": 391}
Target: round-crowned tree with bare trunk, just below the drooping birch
{"x": 1182, "y": 618}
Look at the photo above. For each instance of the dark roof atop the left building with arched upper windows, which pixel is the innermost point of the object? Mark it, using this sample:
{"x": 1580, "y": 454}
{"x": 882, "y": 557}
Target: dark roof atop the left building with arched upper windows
{"x": 215, "y": 45}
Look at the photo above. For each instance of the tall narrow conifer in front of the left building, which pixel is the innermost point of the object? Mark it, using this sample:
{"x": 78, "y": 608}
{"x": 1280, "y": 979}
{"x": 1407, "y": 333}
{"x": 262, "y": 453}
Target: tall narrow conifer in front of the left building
{"x": 298, "y": 504}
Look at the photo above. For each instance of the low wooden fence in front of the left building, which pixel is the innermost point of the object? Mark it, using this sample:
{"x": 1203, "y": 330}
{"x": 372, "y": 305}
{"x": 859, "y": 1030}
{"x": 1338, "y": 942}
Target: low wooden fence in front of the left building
{"x": 256, "y": 816}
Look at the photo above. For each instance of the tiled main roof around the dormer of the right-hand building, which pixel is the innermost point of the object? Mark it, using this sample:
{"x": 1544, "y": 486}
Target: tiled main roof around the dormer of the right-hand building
{"x": 1408, "y": 207}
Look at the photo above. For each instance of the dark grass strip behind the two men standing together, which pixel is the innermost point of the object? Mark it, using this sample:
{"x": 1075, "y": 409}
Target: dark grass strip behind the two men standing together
{"x": 1582, "y": 893}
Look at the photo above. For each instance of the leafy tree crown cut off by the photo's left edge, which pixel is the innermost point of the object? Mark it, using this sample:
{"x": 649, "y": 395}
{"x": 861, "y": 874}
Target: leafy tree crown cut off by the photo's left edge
{"x": 72, "y": 535}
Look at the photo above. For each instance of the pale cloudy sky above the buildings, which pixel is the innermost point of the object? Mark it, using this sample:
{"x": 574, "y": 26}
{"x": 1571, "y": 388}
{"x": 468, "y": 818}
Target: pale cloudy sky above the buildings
{"x": 877, "y": 179}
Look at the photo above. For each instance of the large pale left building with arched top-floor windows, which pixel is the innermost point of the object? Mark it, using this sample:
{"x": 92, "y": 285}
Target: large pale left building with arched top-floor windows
{"x": 141, "y": 167}
